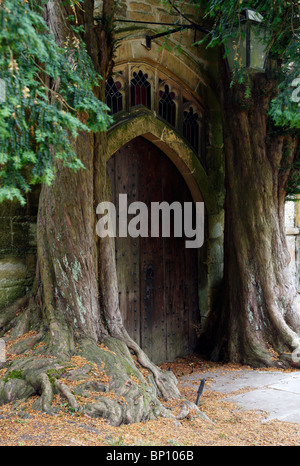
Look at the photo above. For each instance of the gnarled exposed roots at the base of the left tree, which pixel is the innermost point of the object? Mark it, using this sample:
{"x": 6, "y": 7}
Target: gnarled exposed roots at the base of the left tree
{"x": 114, "y": 380}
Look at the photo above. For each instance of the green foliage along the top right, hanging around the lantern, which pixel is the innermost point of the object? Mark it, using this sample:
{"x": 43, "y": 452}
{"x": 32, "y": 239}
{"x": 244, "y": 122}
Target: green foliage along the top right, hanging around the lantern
{"x": 281, "y": 20}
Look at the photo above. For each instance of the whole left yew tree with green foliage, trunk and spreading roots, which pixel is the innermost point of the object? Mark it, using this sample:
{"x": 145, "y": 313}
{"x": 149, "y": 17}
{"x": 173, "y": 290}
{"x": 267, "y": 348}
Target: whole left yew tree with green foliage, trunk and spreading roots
{"x": 54, "y": 61}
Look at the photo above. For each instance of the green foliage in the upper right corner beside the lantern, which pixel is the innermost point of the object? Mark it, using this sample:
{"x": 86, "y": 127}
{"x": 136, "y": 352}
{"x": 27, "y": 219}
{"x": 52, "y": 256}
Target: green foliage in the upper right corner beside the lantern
{"x": 281, "y": 19}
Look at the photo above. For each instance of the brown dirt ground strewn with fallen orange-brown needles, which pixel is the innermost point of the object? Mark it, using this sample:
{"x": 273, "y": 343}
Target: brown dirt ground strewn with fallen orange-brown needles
{"x": 228, "y": 425}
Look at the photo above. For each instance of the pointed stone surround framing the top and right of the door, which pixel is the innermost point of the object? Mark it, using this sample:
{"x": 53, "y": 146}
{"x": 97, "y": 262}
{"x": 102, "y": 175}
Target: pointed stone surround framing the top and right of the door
{"x": 143, "y": 122}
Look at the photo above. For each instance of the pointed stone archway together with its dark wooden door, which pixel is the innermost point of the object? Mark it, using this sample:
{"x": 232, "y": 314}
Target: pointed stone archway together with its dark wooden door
{"x": 163, "y": 322}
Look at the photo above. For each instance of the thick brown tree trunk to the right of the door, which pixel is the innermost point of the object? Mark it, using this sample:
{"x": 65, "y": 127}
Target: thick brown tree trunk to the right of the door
{"x": 260, "y": 316}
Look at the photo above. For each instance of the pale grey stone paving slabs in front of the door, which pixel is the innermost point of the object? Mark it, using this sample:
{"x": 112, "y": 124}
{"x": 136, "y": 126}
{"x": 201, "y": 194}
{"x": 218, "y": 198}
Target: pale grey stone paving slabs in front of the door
{"x": 276, "y": 393}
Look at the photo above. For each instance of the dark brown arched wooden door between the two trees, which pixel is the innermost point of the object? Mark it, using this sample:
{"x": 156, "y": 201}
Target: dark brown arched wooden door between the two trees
{"x": 158, "y": 278}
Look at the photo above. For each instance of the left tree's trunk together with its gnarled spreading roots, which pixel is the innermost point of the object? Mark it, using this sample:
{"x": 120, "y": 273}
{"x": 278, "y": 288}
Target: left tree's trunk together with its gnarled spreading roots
{"x": 74, "y": 307}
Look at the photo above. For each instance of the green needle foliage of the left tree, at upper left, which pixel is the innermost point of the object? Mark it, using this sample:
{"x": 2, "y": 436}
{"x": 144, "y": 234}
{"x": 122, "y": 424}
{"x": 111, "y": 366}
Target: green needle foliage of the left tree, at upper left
{"x": 49, "y": 99}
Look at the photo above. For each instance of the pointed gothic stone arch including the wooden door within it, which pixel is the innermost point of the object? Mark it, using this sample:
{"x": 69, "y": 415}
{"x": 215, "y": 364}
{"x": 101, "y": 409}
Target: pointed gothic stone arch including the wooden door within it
{"x": 122, "y": 140}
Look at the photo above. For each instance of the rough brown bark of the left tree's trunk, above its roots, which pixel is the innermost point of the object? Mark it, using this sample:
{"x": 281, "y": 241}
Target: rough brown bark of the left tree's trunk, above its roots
{"x": 67, "y": 254}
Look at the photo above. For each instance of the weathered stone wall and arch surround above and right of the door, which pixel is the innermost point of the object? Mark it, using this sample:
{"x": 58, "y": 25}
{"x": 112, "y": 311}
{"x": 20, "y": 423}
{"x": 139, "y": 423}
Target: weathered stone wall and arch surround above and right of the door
{"x": 194, "y": 70}
